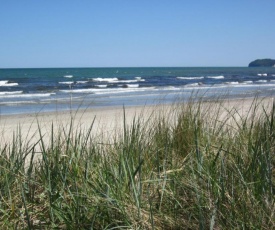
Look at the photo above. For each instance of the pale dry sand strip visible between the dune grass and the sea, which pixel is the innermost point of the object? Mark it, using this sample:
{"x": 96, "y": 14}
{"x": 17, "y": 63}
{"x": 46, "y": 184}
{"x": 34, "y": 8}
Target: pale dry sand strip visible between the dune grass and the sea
{"x": 107, "y": 121}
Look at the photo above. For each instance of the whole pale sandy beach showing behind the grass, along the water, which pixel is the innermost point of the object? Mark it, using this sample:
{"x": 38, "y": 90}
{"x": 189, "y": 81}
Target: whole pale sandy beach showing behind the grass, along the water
{"x": 107, "y": 122}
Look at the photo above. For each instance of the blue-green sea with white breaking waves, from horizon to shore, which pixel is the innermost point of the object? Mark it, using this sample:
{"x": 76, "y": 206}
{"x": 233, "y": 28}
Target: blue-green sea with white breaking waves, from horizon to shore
{"x": 64, "y": 89}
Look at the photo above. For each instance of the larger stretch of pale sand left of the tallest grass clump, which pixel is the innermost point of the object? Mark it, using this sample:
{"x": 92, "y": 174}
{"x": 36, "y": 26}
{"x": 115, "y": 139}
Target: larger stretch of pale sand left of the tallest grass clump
{"x": 105, "y": 122}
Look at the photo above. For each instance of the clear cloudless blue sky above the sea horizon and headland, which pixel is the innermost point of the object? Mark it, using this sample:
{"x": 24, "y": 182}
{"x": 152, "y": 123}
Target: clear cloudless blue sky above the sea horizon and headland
{"x": 124, "y": 33}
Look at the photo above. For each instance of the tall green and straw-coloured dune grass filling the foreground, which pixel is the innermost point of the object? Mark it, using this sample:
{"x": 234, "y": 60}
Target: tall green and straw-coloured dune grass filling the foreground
{"x": 197, "y": 166}
